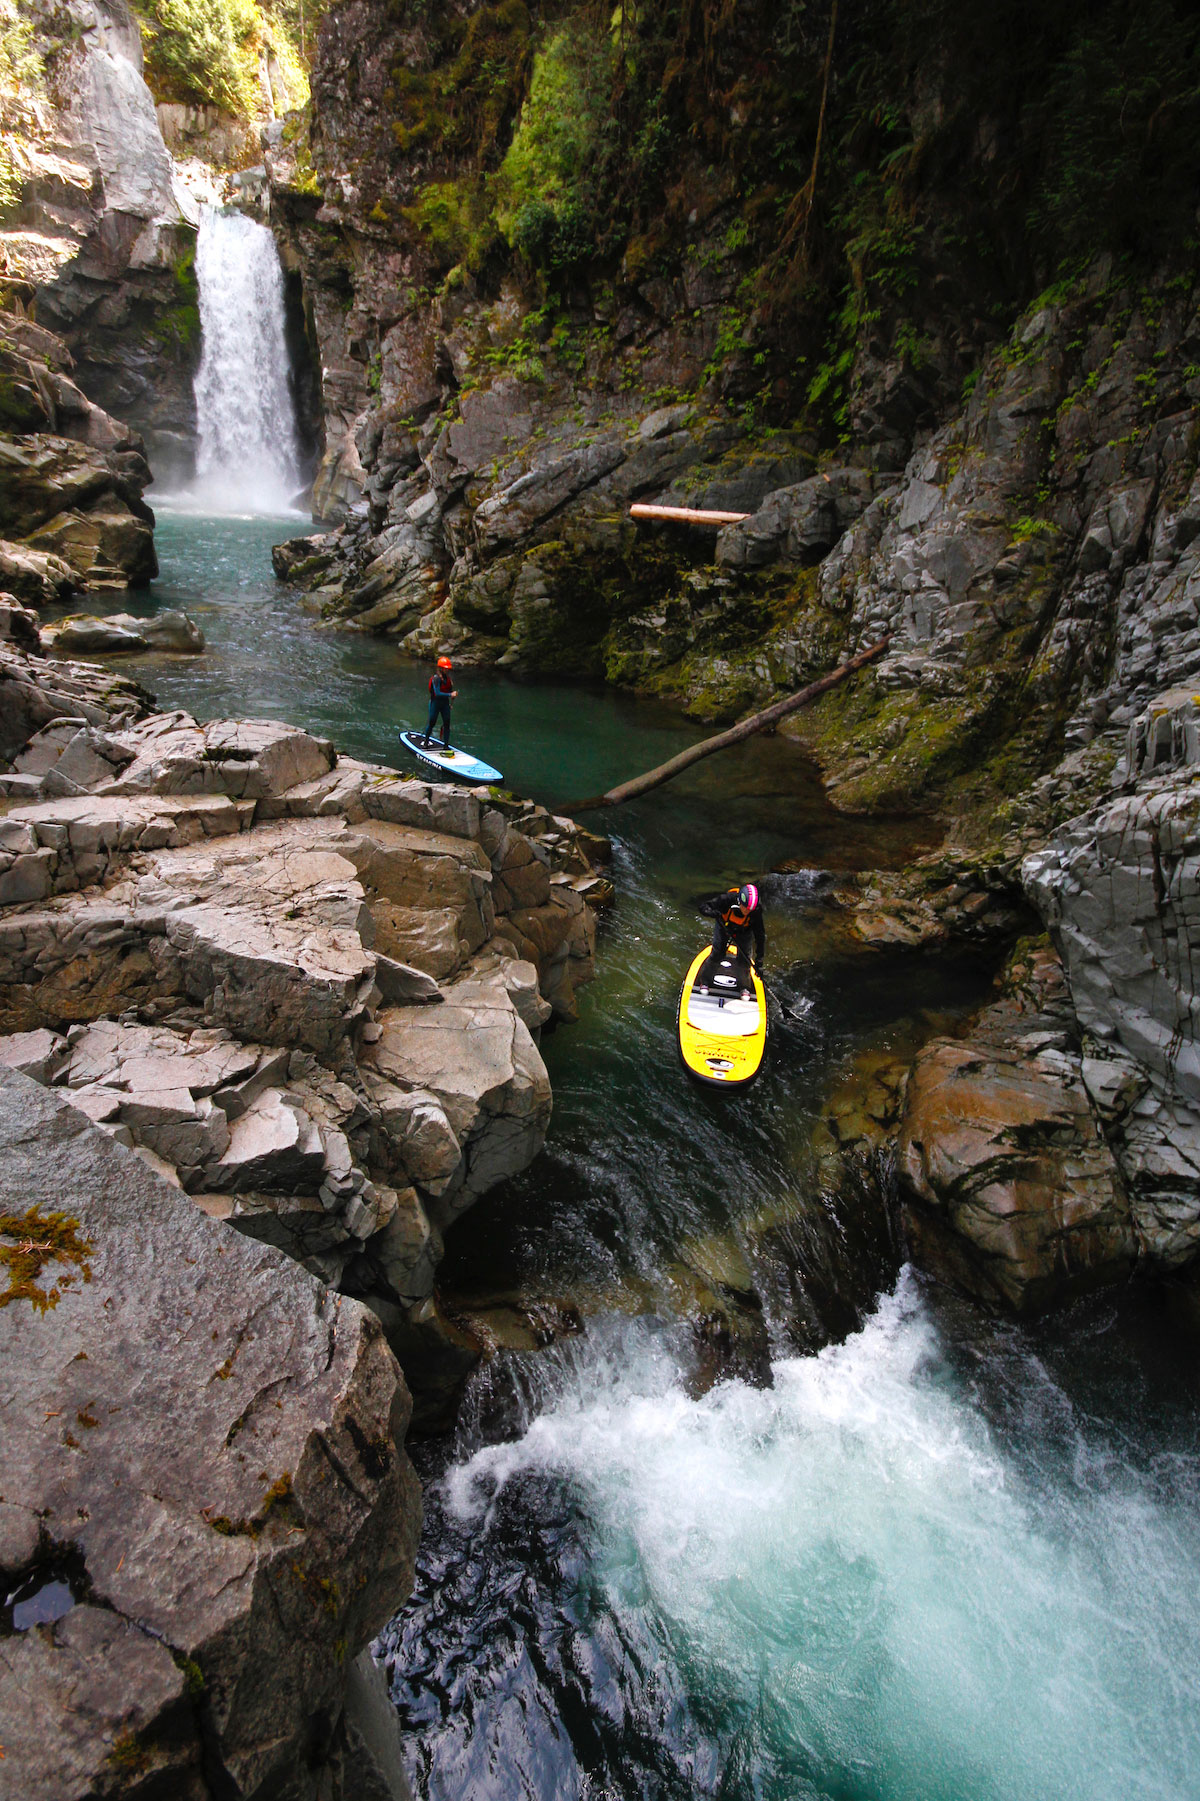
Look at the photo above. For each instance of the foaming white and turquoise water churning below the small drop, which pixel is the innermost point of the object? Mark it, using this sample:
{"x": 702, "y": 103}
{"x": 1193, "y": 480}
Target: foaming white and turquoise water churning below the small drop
{"x": 866, "y": 1584}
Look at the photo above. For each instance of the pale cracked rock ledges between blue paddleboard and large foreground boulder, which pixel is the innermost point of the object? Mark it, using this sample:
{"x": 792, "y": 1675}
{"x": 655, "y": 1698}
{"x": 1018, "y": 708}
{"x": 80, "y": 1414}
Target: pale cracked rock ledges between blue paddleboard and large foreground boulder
{"x": 302, "y": 990}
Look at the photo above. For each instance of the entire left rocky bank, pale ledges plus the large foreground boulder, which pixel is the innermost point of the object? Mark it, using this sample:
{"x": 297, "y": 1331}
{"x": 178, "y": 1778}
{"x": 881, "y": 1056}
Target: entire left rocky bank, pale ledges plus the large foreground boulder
{"x": 271, "y": 1027}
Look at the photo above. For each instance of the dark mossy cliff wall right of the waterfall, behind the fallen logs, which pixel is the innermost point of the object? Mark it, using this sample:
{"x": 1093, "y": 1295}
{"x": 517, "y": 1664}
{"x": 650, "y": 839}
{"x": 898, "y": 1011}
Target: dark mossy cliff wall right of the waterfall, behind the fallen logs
{"x": 561, "y": 260}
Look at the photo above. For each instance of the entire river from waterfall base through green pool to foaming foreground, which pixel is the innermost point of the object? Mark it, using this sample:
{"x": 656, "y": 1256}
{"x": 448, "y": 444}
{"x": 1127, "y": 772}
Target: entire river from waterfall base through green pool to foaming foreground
{"x": 943, "y": 1559}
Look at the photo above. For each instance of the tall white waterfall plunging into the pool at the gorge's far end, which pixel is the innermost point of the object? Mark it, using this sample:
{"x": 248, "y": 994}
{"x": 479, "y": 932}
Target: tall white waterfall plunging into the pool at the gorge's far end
{"x": 248, "y": 458}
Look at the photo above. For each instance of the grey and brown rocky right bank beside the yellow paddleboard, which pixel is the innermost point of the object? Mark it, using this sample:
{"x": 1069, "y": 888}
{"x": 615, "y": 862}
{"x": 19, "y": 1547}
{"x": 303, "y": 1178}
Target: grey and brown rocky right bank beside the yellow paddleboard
{"x": 1051, "y": 1146}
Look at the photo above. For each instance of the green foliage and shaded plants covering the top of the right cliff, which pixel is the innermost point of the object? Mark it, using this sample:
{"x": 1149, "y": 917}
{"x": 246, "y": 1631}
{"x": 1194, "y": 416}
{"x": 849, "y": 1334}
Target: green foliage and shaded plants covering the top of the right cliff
{"x": 925, "y": 163}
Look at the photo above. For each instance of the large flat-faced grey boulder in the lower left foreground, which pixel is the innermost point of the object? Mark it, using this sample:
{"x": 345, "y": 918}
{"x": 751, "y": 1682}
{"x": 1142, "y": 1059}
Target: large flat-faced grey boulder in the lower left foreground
{"x": 208, "y": 1444}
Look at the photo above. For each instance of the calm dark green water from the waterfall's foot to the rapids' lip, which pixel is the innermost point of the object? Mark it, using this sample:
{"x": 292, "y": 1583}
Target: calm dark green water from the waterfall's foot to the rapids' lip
{"x": 644, "y": 1177}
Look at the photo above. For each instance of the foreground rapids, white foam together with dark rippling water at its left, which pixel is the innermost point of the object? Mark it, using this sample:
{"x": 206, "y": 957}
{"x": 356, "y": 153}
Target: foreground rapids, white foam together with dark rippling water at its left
{"x": 898, "y": 1575}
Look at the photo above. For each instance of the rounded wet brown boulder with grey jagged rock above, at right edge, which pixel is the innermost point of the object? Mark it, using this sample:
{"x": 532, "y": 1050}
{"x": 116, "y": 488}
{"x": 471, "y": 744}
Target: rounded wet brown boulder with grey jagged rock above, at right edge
{"x": 1066, "y": 1148}
